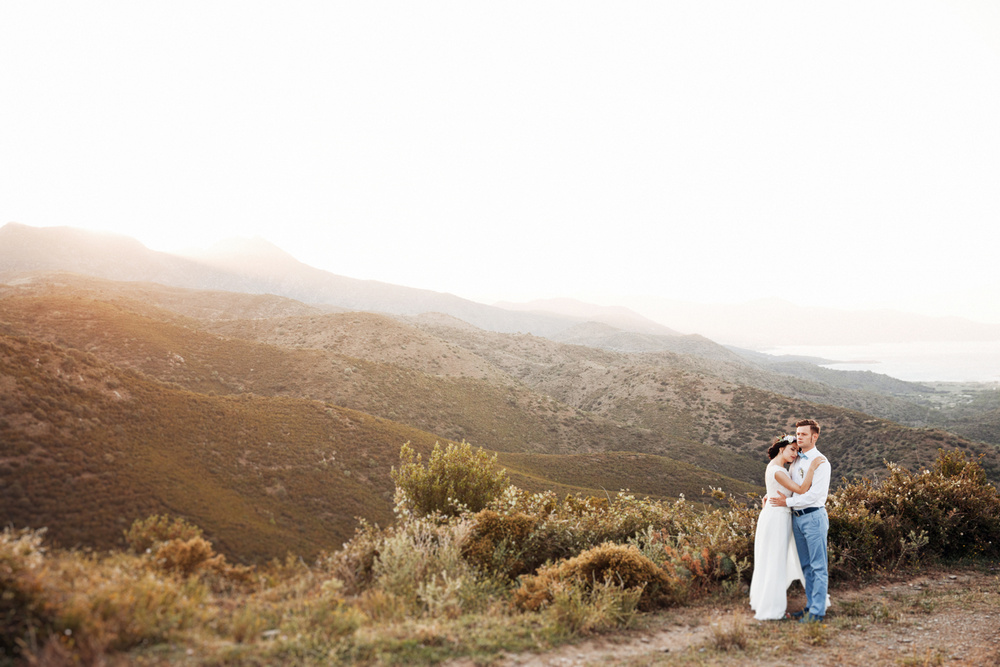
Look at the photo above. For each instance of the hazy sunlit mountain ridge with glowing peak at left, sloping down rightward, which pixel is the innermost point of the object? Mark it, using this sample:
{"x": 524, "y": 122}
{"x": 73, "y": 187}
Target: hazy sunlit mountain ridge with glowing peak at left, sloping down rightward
{"x": 258, "y": 267}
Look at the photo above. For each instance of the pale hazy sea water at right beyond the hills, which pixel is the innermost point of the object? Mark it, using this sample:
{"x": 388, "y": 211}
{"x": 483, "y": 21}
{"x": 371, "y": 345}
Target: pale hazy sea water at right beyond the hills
{"x": 975, "y": 361}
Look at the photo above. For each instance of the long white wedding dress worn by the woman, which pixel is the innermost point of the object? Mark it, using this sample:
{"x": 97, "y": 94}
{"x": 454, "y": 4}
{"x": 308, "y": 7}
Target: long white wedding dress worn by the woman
{"x": 775, "y": 558}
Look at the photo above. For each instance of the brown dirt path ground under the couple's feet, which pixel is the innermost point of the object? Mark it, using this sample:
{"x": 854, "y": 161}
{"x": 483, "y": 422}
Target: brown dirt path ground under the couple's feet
{"x": 940, "y": 617}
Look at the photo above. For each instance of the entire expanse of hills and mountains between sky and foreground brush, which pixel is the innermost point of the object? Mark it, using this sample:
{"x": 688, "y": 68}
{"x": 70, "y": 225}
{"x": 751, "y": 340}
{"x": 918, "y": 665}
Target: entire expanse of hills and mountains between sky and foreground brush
{"x": 135, "y": 382}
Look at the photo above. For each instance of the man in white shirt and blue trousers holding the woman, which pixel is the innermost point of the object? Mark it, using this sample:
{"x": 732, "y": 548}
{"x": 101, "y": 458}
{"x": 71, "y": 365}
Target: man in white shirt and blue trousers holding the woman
{"x": 810, "y": 523}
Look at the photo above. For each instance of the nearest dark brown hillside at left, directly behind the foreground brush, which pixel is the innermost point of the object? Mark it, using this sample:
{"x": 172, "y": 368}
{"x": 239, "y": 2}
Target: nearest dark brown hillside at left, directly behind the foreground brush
{"x": 88, "y": 448}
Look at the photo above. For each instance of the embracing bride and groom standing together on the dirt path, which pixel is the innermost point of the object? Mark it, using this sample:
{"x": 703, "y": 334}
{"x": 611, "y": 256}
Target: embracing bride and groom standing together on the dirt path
{"x": 790, "y": 542}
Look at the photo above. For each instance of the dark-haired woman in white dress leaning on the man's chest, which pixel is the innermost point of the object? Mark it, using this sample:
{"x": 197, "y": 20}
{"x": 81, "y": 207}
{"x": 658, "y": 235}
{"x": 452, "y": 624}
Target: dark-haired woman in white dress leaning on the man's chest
{"x": 776, "y": 561}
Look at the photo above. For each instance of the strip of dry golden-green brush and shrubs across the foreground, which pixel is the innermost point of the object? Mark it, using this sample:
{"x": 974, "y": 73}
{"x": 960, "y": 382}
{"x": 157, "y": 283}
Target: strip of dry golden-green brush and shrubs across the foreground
{"x": 525, "y": 572}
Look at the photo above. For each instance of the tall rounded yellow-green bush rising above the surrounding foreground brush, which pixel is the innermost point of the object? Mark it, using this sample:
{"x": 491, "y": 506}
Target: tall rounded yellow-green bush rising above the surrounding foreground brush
{"x": 456, "y": 480}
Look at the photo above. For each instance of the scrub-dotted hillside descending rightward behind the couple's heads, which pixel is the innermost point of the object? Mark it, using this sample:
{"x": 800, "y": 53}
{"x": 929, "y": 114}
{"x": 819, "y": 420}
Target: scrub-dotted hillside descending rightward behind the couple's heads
{"x": 691, "y": 403}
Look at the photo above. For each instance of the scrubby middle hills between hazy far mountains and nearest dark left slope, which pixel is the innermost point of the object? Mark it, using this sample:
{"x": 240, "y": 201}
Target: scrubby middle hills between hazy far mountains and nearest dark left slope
{"x": 503, "y": 392}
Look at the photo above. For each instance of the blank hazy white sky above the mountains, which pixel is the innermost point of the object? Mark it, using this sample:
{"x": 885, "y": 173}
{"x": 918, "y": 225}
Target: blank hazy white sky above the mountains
{"x": 840, "y": 153}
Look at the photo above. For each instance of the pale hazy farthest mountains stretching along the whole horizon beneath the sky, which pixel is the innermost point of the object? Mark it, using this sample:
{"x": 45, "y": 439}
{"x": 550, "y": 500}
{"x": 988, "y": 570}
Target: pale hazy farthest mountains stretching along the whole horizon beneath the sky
{"x": 257, "y": 266}
